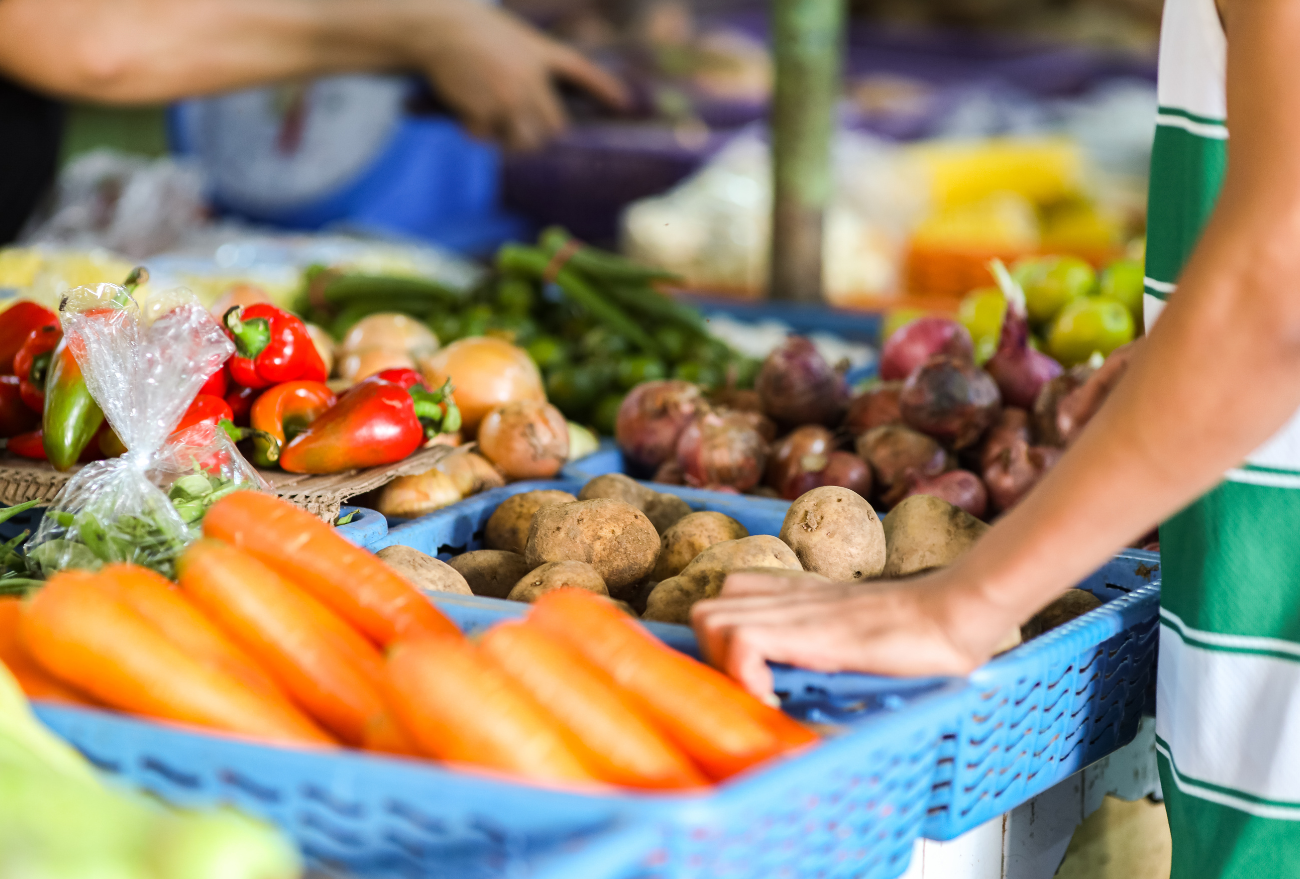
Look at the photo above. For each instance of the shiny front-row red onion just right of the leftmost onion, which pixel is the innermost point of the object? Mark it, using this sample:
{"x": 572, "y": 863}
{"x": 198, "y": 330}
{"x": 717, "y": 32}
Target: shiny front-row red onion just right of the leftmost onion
{"x": 722, "y": 451}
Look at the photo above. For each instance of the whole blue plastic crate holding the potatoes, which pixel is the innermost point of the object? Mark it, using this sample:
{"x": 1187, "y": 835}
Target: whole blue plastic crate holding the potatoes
{"x": 1039, "y": 713}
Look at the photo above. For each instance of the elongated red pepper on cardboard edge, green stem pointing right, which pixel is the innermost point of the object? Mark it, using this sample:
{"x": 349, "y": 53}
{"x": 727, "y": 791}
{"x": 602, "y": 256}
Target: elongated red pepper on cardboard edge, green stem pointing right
{"x": 375, "y": 423}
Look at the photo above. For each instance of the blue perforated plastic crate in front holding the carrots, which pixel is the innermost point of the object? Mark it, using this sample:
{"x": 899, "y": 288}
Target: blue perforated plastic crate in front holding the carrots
{"x": 850, "y": 807}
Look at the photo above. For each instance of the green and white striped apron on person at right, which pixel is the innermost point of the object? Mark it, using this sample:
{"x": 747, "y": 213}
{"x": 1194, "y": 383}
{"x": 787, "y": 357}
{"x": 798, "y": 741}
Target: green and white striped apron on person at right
{"x": 1228, "y": 717}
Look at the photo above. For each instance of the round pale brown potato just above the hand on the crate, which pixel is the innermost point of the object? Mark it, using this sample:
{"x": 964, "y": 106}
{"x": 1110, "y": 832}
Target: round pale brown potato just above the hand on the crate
{"x": 837, "y": 534}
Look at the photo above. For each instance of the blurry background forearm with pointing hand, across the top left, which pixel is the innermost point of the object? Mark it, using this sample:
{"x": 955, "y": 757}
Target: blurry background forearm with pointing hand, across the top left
{"x": 488, "y": 66}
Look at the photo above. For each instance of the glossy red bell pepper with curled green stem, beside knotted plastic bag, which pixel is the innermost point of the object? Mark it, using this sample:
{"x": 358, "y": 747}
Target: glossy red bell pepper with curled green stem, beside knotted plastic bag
{"x": 272, "y": 348}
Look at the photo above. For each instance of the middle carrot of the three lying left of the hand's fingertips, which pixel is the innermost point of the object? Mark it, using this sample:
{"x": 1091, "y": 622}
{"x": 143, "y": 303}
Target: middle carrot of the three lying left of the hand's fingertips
{"x": 619, "y": 743}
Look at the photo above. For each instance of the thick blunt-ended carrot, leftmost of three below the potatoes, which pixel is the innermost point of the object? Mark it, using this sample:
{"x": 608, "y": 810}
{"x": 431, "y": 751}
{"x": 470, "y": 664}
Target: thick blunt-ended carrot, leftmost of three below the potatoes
{"x": 460, "y": 707}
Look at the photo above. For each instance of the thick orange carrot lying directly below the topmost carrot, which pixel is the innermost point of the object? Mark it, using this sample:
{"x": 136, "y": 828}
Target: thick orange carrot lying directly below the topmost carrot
{"x": 324, "y": 665}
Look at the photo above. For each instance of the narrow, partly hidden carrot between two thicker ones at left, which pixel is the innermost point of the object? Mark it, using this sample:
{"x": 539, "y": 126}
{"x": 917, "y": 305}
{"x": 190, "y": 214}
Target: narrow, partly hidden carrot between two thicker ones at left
{"x": 161, "y": 604}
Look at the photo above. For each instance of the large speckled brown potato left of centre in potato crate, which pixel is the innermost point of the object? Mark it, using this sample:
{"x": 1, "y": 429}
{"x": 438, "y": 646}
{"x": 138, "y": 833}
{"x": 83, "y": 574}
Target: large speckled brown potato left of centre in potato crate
{"x": 614, "y": 538}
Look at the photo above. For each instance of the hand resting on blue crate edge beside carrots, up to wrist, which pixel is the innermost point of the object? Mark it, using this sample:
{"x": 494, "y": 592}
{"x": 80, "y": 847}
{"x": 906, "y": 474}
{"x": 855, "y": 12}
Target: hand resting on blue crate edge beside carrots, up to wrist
{"x": 931, "y": 625}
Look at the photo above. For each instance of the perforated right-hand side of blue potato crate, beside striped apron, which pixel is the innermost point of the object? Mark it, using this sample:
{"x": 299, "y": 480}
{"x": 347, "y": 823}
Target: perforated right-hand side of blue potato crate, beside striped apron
{"x": 1051, "y": 708}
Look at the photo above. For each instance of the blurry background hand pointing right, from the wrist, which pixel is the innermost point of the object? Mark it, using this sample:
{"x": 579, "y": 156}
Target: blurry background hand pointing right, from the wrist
{"x": 499, "y": 73}
